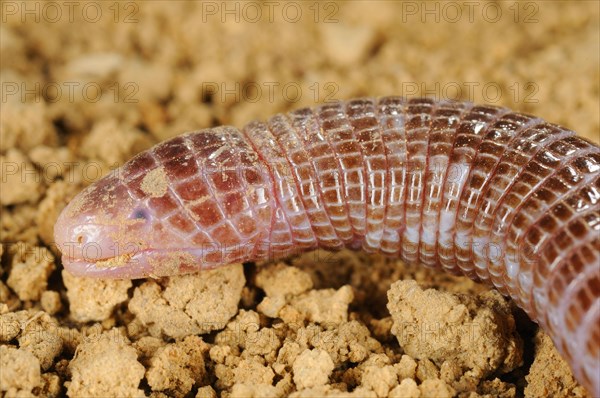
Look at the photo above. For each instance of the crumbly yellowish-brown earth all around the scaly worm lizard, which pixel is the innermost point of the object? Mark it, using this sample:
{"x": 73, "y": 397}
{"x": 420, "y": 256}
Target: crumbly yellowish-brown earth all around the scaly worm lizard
{"x": 87, "y": 85}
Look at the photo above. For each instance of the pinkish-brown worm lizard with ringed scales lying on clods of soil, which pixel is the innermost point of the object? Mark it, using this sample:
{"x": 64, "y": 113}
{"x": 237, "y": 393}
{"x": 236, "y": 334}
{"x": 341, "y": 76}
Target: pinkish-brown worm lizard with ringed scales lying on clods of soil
{"x": 504, "y": 198}
